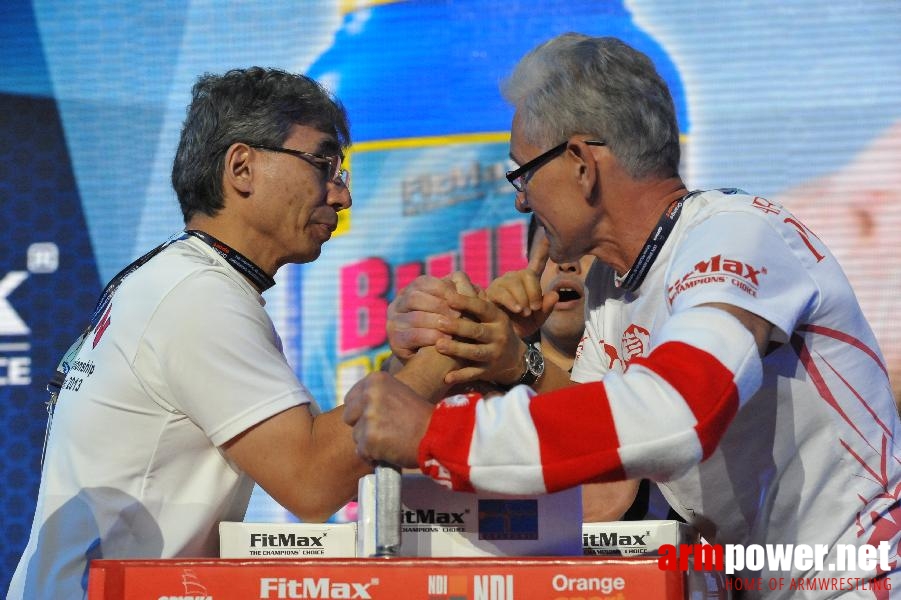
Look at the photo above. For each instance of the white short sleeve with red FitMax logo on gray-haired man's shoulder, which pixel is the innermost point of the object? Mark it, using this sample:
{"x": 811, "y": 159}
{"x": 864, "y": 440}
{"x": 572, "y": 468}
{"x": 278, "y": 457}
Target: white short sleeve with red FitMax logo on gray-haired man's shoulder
{"x": 747, "y": 252}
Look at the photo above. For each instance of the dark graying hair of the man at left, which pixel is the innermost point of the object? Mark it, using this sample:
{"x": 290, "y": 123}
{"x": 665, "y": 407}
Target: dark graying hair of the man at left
{"x": 254, "y": 106}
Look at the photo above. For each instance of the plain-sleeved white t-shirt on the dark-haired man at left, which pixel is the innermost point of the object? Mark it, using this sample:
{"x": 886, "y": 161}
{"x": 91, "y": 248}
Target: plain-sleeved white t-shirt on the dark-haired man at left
{"x": 185, "y": 360}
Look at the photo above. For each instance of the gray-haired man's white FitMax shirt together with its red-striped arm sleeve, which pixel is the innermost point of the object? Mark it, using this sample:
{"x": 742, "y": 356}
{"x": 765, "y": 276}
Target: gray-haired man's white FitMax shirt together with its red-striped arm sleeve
{"x": 796, "y": 448}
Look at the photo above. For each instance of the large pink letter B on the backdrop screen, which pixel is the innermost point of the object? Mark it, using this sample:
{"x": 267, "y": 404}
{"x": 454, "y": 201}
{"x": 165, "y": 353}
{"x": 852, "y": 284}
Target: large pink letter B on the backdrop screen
{"x": 362, "y": 307}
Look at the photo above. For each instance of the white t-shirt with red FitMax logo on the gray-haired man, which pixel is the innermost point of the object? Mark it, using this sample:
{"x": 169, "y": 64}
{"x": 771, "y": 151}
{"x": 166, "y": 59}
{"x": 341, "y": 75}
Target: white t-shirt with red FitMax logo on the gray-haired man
{"x": 809, "y": 458}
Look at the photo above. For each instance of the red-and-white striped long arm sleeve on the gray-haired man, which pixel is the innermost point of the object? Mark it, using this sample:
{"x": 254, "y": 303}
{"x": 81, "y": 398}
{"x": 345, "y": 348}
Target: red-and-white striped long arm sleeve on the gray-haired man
{"x": 657, "y": 420}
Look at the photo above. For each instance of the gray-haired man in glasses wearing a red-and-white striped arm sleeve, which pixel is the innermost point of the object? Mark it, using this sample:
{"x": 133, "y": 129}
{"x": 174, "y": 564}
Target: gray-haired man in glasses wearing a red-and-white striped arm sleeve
{"x": 724, "y": 355}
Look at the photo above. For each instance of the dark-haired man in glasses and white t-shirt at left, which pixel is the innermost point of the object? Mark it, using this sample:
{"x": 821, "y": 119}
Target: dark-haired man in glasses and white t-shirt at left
{"x": 179, "y": 397}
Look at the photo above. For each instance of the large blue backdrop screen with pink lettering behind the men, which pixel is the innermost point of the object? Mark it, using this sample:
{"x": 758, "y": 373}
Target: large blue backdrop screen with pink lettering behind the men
{"x": 92, "y": 97}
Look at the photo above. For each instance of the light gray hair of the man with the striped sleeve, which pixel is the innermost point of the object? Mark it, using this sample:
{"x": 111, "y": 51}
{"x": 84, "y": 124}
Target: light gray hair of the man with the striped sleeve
{"x": 597, "y": 86}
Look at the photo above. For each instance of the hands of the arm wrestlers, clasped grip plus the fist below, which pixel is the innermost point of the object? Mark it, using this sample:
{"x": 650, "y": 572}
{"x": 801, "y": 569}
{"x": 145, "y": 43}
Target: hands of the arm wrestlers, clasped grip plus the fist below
{"x": 445, "y": 332}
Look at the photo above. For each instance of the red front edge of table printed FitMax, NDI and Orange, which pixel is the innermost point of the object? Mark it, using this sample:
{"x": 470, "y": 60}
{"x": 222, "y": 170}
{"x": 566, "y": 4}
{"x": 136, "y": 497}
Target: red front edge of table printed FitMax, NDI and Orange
{"x": 380, "y": 579}
